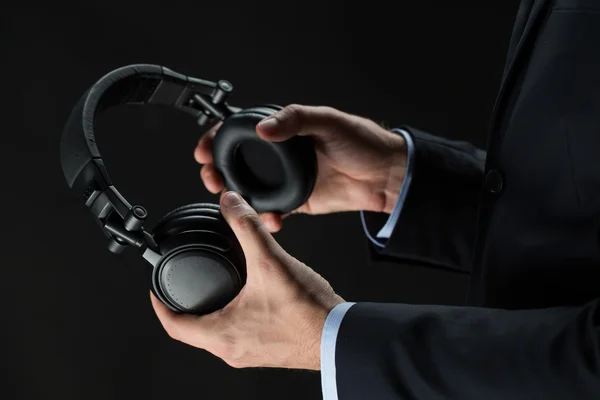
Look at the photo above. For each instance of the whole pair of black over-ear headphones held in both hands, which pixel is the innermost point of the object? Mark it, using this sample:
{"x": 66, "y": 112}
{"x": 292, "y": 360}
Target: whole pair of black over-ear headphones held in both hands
{"x": 197, "y": 263}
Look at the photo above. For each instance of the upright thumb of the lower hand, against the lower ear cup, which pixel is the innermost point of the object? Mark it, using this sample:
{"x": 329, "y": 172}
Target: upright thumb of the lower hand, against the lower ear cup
{"x": 254, "y": 237}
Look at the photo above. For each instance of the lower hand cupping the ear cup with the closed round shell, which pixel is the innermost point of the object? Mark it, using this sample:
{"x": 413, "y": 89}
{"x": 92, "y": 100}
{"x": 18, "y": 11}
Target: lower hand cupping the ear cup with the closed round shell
{"x": 277, "y": 318}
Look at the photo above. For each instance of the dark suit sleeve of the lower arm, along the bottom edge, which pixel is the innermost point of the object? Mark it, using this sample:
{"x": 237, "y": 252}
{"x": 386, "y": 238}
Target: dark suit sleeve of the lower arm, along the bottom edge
{"x": 402, "y": 352}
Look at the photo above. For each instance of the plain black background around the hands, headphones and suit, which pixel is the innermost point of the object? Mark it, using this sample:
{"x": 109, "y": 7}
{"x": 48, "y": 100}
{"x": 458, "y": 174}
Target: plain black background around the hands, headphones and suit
{"x": 76, "y": 320}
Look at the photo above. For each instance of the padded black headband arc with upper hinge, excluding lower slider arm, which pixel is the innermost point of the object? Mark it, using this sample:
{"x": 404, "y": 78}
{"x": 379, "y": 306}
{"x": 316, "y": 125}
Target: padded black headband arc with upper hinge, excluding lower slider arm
{"x": 135, "y": 84}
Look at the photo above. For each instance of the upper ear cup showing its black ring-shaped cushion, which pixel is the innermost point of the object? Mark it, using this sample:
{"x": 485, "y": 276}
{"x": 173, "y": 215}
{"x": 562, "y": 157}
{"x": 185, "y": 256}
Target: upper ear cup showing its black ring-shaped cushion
{"x": 296, "y": 156}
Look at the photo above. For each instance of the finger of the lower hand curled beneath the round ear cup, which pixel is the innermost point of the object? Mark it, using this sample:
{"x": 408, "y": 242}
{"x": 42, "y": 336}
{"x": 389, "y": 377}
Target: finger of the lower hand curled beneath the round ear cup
{"x": 194, "y": 330}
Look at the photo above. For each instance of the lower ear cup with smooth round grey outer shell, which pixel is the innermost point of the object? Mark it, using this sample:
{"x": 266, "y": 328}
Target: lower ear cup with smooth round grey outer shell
{"x": 202, "y": 267}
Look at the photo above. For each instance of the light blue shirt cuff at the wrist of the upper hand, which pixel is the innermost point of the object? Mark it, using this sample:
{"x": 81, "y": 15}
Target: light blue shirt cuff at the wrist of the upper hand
{"x": 388, "y": 228}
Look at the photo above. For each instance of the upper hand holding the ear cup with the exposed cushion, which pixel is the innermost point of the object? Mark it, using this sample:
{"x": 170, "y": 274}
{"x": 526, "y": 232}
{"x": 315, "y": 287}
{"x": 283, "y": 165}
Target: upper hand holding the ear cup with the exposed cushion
{"x": 361, "y": 165}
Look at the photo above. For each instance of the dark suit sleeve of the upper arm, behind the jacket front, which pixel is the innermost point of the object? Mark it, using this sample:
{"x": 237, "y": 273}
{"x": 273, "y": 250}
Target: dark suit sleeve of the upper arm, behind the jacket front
{"x": 438, "y": 218}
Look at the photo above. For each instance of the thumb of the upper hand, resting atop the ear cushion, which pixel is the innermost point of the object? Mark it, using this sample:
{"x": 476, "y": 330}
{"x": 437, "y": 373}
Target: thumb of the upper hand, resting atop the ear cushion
{"x": 298, "y": 120}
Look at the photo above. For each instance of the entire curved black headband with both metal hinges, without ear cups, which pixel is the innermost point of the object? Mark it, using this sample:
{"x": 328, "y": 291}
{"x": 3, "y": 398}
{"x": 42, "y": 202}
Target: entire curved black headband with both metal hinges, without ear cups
{"x": 81, "y": 162}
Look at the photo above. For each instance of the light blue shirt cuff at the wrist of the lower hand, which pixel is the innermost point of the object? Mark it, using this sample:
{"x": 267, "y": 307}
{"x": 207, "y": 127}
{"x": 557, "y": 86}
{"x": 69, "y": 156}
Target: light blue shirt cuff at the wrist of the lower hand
{"x": 328, "y": 342}
